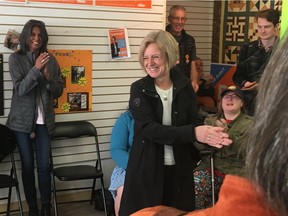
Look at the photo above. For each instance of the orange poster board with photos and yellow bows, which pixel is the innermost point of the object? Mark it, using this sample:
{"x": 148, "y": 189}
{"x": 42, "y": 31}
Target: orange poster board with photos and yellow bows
{"x": 76, "y": 69}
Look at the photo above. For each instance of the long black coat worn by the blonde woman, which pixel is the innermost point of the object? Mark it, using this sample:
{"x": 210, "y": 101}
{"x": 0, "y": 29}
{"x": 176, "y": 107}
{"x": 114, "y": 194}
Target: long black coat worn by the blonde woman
{"x": 145, "y": 172}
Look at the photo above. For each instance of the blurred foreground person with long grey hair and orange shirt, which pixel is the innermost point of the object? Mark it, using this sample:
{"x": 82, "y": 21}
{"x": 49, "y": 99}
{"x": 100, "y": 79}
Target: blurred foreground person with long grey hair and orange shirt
{"x": 265, "y": 191}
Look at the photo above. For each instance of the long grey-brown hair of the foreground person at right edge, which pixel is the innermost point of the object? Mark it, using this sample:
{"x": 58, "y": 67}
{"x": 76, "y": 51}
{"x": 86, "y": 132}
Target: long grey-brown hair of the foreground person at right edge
{"x": 268, "y": 146}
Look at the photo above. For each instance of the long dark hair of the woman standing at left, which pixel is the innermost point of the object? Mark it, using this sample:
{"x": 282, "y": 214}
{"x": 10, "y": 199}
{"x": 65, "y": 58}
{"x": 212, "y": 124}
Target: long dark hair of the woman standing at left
{"x": 26, "y": 33}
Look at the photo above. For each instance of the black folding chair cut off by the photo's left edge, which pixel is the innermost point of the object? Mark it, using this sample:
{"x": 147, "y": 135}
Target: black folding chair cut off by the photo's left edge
{"x": 8, "y": 181}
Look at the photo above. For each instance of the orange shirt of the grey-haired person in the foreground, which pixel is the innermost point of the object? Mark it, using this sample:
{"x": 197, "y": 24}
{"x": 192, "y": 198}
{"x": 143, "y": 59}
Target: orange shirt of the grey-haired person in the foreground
{"x": 238, "y": 197}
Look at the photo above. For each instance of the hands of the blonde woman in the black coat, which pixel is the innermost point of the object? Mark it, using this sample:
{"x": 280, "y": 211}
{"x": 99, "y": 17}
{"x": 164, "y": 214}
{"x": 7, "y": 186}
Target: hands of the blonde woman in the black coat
{"x": 213, "y": 136}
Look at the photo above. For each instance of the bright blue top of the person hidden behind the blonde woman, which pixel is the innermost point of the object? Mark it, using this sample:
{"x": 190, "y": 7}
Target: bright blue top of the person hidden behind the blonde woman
{"x": 122, "y": 138}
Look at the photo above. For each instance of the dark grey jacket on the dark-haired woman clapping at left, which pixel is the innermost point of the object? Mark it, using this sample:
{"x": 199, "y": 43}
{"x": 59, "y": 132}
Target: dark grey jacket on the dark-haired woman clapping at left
{"x": 29, "y": 86}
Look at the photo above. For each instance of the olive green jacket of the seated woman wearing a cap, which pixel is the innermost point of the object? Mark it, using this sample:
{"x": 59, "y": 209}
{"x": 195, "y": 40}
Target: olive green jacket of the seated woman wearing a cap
{"x": 230, "y": 159}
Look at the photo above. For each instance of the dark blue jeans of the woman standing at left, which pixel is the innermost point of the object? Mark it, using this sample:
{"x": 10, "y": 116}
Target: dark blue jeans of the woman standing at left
{"x": 42, "y": 151}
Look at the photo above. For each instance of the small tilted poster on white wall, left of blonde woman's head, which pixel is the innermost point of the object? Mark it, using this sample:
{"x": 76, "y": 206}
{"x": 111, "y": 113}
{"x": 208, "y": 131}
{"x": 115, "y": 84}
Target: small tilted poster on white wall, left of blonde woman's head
{"x": 119, "y": 43}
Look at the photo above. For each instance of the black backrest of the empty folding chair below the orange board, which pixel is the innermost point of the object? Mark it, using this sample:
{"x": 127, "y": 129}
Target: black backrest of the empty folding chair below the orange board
{"x": 77, "y": 129}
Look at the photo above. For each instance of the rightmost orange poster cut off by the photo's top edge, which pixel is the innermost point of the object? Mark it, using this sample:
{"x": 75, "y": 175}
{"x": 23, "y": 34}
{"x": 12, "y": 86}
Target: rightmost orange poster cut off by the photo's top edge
{"x": 128, "y": 4}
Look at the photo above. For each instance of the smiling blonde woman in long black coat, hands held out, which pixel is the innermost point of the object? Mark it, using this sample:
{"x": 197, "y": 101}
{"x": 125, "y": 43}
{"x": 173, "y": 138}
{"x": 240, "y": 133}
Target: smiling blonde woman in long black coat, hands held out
{"x": 162, "y": 157}
